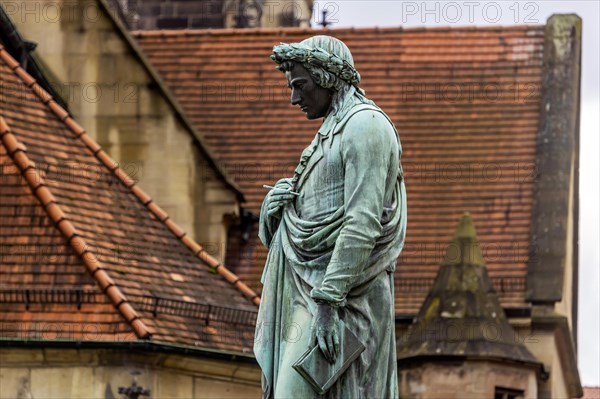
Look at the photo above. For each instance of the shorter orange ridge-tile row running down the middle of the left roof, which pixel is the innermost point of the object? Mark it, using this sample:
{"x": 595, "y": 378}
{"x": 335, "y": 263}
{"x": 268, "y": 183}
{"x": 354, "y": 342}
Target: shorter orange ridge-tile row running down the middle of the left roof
{"x": 16, "y": 150}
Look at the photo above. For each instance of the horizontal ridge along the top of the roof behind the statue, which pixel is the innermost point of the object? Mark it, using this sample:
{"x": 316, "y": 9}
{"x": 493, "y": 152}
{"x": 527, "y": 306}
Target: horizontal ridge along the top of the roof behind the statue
{"x": 399, "y": 28}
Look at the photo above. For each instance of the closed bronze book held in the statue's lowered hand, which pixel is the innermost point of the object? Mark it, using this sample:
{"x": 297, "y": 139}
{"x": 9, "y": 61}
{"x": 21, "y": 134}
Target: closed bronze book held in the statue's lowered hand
{"x": 317, "y": 370}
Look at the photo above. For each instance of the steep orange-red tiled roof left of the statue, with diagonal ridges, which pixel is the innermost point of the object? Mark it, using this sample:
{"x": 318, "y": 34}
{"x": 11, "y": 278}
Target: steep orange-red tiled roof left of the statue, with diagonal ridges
{"x": 85, "y": 254}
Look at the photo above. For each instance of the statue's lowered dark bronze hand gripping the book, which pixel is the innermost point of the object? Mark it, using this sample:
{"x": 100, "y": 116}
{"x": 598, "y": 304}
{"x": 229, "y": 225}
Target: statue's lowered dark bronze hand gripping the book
{"x": 326, "y": 331}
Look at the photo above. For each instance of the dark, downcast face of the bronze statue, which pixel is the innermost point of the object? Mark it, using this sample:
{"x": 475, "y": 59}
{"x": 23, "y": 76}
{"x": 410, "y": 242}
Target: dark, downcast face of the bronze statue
{"x": 313, "y": 99}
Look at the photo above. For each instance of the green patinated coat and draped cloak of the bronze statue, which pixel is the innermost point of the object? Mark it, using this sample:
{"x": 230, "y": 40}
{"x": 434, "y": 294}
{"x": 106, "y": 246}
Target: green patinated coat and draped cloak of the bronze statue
{"x": 338, "y": 242}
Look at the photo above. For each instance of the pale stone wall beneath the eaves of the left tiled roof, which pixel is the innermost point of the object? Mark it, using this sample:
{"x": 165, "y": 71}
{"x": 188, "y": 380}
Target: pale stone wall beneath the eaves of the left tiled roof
{"x": 98, "y": 373}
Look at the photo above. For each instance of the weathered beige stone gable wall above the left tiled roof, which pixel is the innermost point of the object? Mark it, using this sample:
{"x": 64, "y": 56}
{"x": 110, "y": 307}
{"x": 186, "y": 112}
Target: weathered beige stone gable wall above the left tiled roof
{"x": 116, "y": 99}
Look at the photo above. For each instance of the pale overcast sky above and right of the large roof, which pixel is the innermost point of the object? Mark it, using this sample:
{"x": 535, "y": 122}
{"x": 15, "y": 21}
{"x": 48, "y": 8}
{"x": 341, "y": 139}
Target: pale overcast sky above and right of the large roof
{"x": 385, "y": 13}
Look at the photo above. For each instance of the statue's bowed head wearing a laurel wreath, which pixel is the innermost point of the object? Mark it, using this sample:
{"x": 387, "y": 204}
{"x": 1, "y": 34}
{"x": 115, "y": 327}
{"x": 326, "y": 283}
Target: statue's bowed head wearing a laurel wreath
{"x": 316, "y": 69}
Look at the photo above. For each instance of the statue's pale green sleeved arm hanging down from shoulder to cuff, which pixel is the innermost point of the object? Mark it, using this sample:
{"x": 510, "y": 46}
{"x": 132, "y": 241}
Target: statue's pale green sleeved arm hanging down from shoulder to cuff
{"x": 369, "y": 147}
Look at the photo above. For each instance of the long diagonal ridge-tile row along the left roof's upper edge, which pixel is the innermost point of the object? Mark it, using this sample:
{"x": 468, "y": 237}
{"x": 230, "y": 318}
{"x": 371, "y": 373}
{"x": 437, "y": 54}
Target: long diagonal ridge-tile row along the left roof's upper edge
{"x": 112, "y": 165}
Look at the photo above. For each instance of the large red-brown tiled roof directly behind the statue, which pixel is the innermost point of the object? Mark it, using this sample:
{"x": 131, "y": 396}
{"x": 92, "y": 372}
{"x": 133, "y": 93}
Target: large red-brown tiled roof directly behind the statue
{"x": 466, "y": 103}
